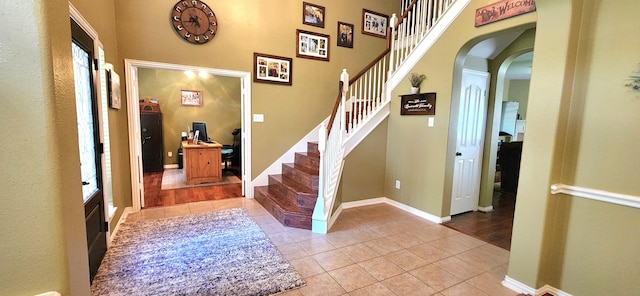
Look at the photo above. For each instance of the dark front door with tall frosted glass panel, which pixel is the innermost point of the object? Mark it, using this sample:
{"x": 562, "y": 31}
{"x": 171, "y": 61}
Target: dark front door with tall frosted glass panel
{"x": 89, "y": 146}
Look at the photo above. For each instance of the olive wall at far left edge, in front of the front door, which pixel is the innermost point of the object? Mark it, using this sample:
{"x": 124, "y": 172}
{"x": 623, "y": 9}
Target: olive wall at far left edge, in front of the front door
{"x": 43, "y": 235}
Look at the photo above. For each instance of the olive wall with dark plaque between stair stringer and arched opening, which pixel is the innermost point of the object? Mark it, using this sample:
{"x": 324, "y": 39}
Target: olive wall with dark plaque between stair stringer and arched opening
{"x": 420, "y": 157}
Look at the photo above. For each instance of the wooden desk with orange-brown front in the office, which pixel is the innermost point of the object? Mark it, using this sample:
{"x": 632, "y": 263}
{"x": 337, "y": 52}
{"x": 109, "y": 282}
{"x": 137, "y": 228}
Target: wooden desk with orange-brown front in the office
{"x": 202, "y": 162}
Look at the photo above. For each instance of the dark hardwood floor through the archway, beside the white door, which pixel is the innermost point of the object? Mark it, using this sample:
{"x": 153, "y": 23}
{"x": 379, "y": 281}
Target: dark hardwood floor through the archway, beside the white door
{"x": 493, "y": 227}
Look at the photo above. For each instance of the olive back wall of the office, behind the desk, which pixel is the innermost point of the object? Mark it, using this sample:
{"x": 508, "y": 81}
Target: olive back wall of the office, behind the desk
{"x": 220, "y": 108}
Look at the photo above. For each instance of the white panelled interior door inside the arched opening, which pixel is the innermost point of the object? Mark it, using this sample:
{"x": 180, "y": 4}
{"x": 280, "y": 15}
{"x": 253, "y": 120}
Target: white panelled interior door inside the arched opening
{"x": 471, "y": 127}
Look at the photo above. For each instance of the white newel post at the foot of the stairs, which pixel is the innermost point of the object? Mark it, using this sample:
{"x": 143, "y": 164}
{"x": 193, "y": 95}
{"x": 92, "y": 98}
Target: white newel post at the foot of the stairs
{"x": 320, "y": 217}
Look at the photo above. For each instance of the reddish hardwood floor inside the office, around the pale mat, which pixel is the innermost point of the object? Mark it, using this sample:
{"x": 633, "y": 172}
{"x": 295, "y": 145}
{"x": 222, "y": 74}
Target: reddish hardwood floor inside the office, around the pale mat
{"x": 155, "y": 197}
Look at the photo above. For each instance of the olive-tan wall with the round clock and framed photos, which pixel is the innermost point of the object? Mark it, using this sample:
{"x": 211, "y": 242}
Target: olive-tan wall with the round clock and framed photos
{"x": 145, "y": 33}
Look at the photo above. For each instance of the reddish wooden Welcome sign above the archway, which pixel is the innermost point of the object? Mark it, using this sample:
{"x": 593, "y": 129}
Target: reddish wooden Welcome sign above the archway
{"x": 503, "y": 10}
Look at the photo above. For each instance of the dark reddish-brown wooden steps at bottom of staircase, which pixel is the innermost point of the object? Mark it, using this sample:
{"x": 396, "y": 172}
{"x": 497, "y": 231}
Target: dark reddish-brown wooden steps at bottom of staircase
{"x": 291, "y": 196}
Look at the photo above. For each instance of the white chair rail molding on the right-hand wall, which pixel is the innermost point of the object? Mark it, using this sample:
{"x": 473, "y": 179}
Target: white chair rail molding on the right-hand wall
{"x": 599, "y": 195}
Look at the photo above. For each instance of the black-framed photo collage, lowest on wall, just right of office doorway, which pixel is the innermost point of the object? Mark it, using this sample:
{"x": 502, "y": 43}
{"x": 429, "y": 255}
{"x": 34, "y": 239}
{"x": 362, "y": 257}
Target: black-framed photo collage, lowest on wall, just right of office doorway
{"x": 272, "y": 69}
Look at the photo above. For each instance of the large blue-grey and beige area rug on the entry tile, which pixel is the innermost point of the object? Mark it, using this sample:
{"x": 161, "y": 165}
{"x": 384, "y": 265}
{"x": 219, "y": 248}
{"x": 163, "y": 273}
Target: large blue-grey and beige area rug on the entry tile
{"x": 215, "y": 253}
